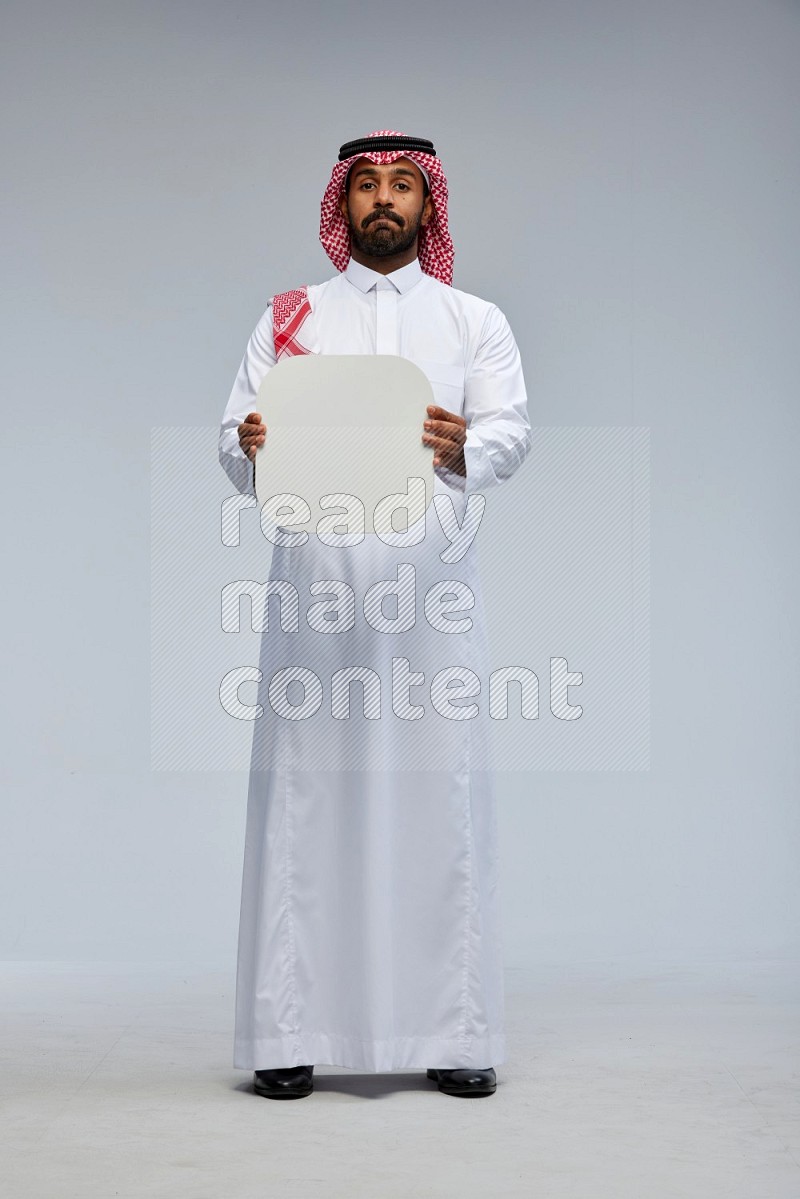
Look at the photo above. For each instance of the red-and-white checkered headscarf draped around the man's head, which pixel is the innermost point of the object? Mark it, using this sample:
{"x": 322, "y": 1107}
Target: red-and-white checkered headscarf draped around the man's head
{"x": 436, "y": 246}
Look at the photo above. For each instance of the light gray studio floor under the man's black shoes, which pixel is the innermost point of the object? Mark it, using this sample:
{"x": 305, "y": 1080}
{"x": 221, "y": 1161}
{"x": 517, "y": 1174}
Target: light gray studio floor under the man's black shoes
{"x": 629, "y": 1081}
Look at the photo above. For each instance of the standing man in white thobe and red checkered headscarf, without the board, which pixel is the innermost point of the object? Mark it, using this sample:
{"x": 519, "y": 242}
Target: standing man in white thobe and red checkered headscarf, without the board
{"x": 370, "y": 930}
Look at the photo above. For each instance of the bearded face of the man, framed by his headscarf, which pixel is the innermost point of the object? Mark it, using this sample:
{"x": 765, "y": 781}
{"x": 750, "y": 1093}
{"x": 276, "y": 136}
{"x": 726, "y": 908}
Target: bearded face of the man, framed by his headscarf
{"x": 386, "y": 207}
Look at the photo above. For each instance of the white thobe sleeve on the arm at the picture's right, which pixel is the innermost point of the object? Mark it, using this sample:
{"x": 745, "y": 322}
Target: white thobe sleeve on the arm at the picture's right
{"x": 496, "y": 409}
